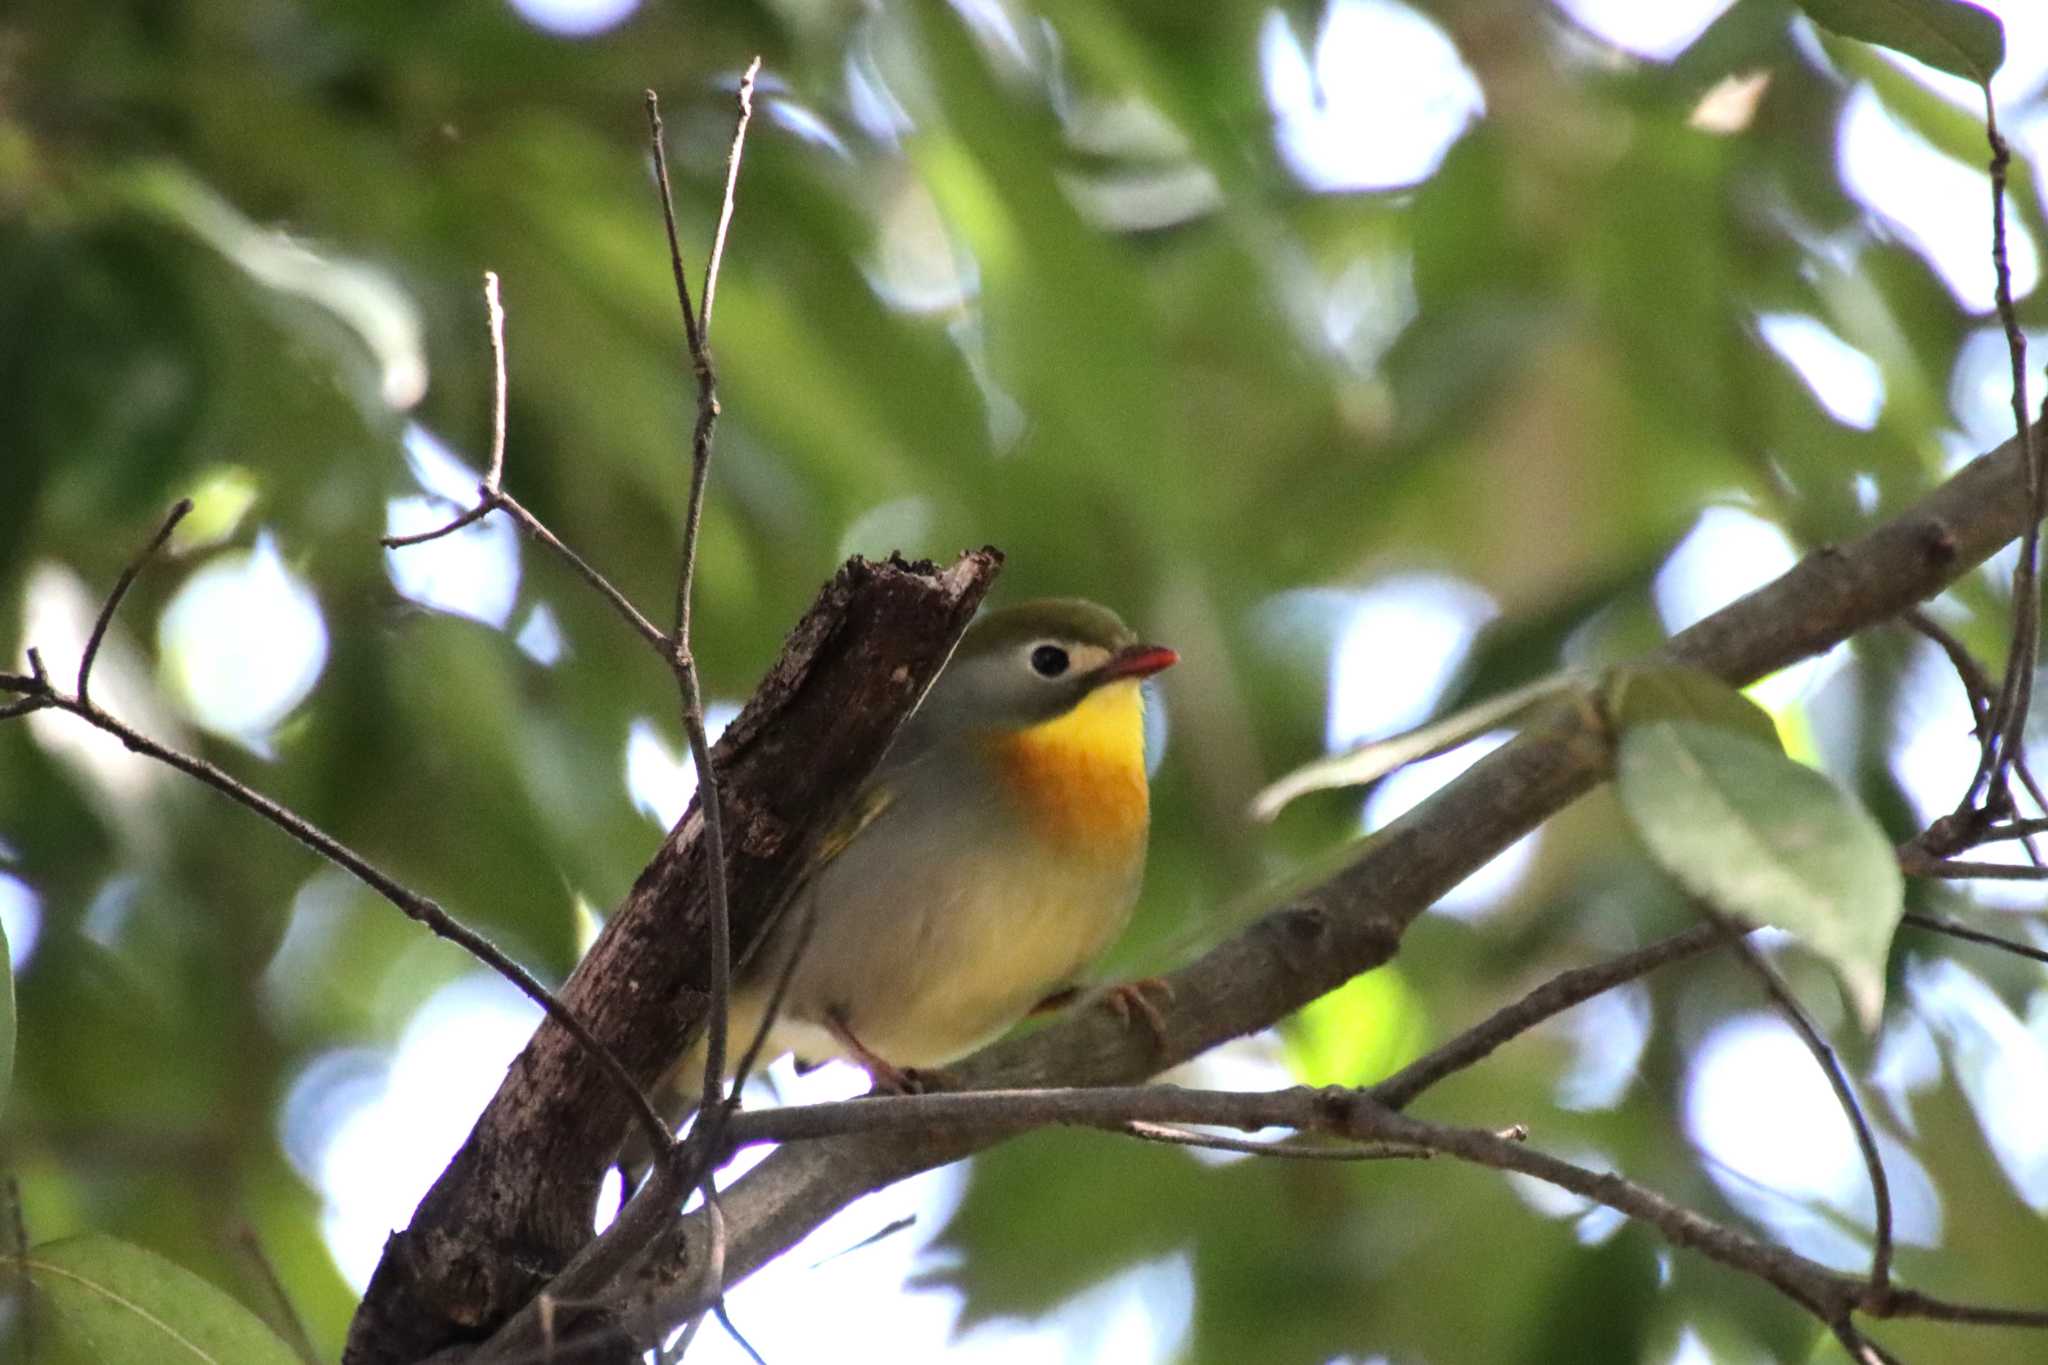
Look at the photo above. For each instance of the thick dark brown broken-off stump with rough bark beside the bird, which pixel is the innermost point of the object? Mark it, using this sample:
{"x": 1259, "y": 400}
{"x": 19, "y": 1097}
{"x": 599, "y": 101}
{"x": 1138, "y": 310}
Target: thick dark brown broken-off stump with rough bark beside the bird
{"x": 517, "y": 1200}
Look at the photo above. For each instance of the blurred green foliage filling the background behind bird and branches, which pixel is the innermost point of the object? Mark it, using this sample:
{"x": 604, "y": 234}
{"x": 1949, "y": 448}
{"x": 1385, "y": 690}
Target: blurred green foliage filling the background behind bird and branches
{"x": 241, "y": 249}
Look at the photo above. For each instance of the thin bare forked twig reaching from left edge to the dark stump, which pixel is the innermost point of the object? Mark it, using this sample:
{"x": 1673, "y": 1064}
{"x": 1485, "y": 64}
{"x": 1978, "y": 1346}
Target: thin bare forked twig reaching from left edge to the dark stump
{"x": 409, "y": 901}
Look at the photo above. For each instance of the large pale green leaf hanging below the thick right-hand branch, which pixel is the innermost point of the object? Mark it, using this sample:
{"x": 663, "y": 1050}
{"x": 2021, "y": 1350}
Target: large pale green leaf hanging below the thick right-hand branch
{"x": 1758, "y": 836}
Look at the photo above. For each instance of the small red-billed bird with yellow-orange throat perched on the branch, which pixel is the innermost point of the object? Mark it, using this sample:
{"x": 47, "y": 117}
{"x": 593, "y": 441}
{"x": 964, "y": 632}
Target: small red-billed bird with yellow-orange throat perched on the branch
{"x": 994, "y": 854}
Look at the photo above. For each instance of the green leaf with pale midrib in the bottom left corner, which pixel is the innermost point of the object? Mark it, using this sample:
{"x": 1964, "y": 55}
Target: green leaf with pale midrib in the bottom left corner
{"x": 108, "y": 1301}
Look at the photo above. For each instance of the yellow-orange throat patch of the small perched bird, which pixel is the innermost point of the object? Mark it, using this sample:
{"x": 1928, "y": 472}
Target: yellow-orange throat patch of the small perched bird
{"x": 1080, "y": 777}
